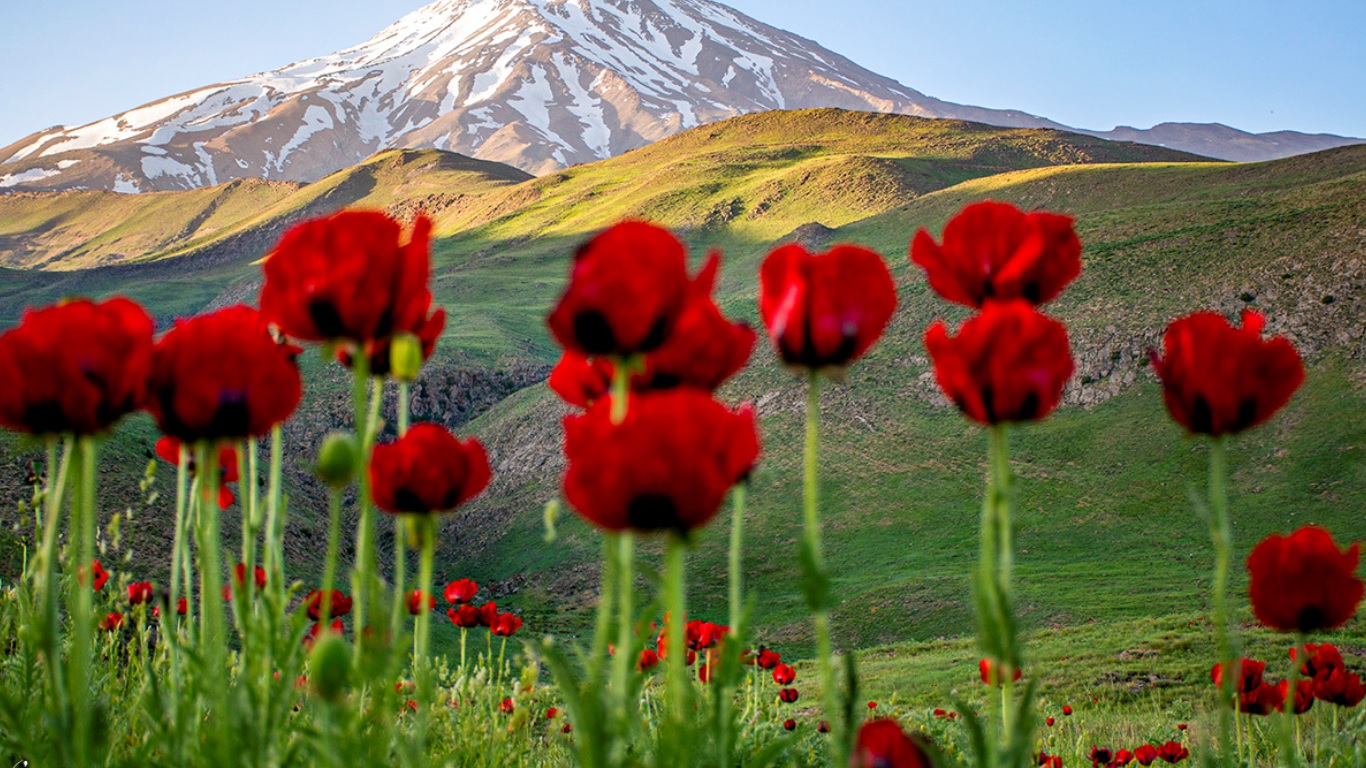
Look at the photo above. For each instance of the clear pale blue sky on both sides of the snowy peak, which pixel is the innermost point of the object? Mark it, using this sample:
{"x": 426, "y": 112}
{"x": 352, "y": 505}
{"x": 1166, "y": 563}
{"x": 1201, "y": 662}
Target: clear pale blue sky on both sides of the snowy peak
{"x": 1255, "y": 65}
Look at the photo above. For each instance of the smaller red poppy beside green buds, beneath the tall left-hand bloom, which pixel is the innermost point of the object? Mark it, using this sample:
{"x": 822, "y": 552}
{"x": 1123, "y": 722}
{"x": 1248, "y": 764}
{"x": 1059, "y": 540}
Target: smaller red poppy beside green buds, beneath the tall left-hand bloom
{"x": 428, "y": 471}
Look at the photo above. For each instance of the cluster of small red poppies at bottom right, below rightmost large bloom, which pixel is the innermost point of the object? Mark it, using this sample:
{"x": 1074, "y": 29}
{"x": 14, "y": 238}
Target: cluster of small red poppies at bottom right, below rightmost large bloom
{"x": 1324, "y": 676}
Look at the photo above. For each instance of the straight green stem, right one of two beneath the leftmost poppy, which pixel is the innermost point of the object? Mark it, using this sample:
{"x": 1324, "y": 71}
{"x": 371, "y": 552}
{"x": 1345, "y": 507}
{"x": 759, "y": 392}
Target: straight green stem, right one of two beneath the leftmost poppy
{"x": 83, "y": 617}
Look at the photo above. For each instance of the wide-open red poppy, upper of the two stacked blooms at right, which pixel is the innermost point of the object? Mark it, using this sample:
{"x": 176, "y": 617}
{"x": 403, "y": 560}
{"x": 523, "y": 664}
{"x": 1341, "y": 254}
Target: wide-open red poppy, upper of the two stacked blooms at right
{"x": 994, "y": 251}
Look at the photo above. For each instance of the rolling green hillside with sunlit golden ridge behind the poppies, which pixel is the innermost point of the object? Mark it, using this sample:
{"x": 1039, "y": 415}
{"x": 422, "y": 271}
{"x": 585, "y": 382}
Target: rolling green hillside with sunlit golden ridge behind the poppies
{"x": 1107, "y": 530}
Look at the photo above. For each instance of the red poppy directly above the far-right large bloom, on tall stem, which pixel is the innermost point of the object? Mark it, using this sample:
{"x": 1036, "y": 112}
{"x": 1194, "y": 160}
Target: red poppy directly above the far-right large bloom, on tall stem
{"x": 1221, "y": 381}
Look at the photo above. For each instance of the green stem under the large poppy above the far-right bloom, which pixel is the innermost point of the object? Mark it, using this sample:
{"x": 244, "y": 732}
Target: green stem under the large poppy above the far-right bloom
{"x": 1222, "y": 536}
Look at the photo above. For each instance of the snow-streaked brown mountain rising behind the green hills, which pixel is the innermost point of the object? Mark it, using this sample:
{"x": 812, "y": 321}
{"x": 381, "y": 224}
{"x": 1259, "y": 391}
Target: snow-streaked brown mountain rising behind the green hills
{"x": 536, "y": 84}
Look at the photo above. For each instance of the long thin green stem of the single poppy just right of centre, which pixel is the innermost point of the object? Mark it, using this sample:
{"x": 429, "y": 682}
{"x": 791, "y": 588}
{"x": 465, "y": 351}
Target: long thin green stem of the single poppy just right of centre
{"x": 816, "y": 576}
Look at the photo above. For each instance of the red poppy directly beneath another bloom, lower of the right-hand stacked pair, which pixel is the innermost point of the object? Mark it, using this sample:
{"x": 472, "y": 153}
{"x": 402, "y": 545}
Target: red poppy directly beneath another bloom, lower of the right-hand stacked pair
{"x": 1007, "y": 364}
